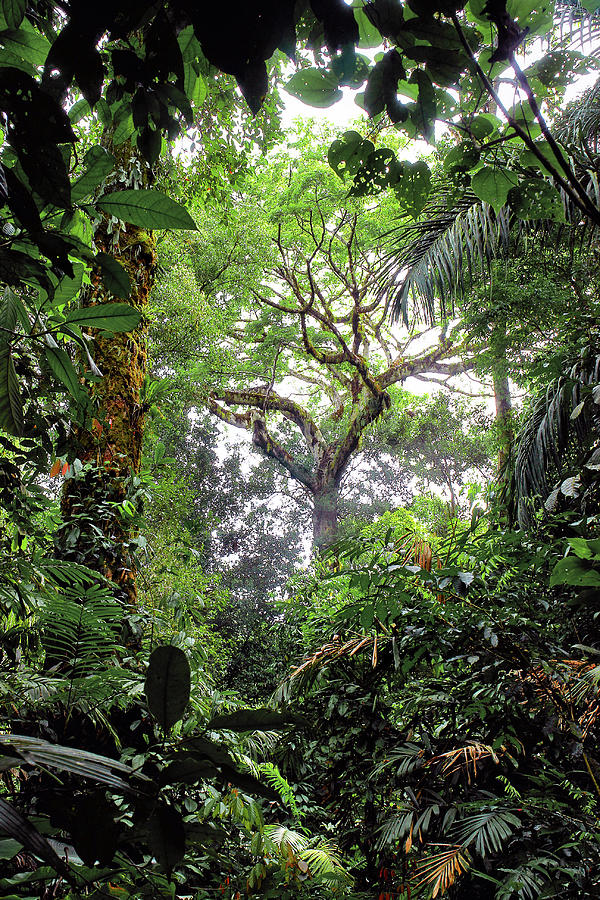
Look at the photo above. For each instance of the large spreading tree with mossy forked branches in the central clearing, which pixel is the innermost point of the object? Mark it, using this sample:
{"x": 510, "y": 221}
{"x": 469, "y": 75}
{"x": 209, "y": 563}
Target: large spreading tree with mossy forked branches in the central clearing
{"x": 316, "y": 335}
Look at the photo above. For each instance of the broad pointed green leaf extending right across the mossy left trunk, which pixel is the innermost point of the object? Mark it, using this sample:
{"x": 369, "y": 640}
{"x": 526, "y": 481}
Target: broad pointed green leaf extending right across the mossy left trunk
{"x": 147, "y": 209}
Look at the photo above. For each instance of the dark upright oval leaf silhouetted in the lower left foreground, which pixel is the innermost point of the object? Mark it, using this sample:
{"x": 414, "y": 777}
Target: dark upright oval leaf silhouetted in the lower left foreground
{"x": 167, "y": 686}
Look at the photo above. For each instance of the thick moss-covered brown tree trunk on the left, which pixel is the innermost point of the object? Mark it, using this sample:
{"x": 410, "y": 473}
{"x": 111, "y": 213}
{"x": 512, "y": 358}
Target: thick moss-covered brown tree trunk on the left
{"x": 110, "y": 446}
